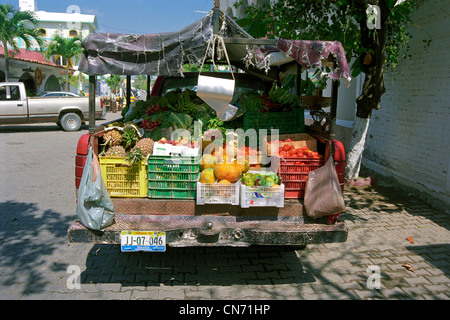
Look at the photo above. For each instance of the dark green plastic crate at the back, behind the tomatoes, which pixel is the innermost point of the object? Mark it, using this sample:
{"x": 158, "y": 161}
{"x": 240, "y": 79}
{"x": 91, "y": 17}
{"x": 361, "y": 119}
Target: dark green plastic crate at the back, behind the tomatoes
{"x": 286, "y": 121}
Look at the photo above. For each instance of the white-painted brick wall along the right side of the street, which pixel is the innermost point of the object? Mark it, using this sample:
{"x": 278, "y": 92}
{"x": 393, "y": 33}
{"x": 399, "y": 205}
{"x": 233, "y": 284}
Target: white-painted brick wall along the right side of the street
{"x": 408, "y": 137}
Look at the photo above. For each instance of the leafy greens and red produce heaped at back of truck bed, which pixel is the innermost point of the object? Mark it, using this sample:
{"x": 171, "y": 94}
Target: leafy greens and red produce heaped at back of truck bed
{"x": 180, "y": 108}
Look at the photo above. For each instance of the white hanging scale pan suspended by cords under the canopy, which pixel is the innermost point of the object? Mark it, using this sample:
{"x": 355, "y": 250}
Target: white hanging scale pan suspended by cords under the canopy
{"x": 214, "y": 91}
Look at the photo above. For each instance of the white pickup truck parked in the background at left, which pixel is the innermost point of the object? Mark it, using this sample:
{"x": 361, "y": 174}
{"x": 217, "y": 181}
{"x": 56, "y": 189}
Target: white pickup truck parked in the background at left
{"x": 68, "y": 112}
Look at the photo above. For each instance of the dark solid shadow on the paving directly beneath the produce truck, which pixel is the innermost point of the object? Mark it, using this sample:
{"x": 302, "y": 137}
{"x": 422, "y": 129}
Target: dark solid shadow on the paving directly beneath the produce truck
{"x": 195, "y": 266}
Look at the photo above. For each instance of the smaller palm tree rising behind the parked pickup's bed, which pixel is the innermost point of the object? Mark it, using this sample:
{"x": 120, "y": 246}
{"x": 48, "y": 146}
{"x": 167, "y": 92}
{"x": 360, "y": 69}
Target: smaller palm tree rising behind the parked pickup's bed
{"x": 67, "y": 48}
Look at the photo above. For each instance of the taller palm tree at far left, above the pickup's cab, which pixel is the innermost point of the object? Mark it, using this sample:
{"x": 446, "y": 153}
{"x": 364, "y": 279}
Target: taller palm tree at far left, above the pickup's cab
{"x": 17, "y": 24}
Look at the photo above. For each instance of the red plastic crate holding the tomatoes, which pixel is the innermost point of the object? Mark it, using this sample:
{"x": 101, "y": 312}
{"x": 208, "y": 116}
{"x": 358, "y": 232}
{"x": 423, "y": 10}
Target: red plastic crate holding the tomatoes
{"x": 294, "y": 176}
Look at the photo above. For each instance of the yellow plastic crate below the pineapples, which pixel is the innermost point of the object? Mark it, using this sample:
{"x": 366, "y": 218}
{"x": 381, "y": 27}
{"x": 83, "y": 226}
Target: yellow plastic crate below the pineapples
{"x": 123, "y": 180}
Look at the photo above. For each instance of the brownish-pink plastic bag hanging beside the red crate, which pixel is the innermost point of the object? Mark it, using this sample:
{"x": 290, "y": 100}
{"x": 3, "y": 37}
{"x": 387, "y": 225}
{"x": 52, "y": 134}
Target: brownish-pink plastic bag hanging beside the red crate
{"x": 323, "y": 194}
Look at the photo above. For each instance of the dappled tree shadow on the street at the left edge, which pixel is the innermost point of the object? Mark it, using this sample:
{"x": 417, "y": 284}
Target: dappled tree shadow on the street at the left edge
{"x": 27, "y": 236}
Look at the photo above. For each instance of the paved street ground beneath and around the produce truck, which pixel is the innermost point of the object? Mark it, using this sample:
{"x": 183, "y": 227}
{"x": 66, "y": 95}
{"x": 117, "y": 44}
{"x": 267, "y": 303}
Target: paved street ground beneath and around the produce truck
{"x": 37, "y": 205}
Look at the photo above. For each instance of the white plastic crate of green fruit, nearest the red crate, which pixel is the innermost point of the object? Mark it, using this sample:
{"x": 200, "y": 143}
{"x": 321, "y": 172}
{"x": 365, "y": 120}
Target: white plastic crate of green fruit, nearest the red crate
{"x": 260, "y": 196}
